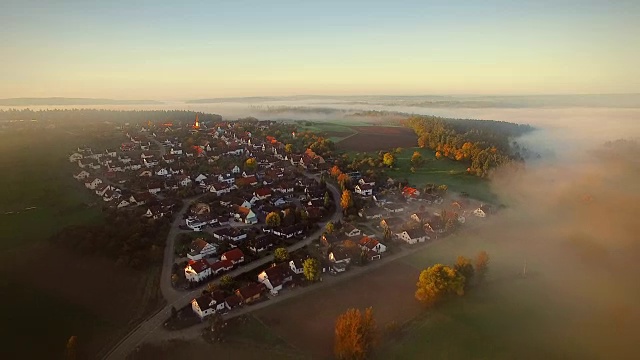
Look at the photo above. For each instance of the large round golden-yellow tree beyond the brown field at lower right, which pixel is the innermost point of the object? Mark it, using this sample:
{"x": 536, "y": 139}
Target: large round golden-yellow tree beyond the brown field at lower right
{"x": 437, "y": 282}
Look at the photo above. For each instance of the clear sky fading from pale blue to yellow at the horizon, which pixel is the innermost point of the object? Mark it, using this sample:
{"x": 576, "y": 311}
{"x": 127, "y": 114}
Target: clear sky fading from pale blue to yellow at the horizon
{"x": 201, "y": 49}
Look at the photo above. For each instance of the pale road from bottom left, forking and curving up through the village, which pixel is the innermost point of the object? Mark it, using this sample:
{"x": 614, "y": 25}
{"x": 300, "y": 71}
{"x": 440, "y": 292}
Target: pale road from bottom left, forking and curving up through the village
{"x": 152, "y": 326}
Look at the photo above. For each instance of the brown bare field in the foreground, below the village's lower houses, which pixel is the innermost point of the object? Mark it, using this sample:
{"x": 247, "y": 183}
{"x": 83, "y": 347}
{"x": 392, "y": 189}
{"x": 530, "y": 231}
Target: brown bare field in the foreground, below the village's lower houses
{"x": 307, "y": 322}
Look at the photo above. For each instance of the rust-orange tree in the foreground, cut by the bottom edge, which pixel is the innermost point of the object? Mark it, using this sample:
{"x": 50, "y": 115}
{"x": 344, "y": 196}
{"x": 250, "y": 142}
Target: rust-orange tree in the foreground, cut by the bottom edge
{"x": 355, "y": 334}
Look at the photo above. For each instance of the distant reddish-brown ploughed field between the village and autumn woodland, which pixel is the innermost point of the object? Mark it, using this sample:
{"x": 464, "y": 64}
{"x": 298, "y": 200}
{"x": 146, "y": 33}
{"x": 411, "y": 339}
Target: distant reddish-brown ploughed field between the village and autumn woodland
{"x": 372, "y": 138}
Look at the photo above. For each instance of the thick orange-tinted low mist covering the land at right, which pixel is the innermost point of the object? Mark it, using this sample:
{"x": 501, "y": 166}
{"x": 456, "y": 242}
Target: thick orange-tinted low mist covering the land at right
{"x": 573, "y": 229}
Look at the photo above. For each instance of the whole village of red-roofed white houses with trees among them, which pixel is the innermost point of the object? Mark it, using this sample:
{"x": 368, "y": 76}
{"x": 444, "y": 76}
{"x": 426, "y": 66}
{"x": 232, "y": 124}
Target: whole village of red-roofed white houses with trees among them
{"x": 254, "y": 200}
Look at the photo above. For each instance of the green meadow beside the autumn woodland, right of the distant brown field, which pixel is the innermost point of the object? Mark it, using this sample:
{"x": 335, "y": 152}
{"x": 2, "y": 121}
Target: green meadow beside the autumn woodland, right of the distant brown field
{"x": 442, "y": 171}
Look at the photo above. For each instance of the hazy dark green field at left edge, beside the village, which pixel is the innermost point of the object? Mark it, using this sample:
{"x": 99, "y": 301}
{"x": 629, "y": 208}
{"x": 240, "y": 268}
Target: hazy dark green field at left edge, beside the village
{"x": 37, "y": 173}
